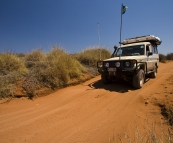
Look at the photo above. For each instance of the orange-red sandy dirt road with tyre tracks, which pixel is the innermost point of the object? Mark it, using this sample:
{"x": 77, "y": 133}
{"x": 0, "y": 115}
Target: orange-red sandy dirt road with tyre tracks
{"x": 87, "y": 113}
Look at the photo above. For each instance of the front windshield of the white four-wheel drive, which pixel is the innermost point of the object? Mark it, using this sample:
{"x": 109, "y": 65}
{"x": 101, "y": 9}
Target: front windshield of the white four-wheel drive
{"x": 130, "y": 51}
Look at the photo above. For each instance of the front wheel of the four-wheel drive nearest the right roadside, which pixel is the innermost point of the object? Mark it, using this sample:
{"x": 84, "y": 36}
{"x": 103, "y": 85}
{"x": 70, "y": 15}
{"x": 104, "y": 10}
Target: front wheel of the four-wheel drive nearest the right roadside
{"x": 138, "y": 79}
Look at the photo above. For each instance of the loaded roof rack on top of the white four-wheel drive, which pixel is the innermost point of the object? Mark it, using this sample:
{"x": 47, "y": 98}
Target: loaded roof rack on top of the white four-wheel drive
{"x": 148, "y": 38}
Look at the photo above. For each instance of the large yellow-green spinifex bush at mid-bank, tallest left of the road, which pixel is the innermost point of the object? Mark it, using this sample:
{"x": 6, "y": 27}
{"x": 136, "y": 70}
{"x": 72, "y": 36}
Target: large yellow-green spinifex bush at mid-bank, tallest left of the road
{"x": 62, "y": 68}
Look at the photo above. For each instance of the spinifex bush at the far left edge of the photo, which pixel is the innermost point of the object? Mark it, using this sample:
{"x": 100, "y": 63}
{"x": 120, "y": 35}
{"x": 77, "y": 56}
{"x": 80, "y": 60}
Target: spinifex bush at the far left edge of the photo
{"x": 11, "y": 69}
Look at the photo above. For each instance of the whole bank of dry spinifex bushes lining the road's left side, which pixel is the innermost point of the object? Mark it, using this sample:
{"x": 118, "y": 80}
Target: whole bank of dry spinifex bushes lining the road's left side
{"x": 25, "y": 74}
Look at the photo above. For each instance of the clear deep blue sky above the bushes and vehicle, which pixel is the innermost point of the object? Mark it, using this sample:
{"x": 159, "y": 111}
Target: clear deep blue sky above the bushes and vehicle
{"x": 26, "y": 25}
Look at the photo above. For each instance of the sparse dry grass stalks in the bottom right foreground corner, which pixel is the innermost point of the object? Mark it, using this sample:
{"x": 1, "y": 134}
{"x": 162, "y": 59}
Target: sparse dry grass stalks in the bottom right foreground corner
{"x": 149, "y": 132}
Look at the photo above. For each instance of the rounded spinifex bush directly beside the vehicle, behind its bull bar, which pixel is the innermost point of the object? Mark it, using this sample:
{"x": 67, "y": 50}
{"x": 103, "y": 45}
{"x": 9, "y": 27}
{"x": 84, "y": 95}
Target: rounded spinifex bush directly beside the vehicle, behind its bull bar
{"x": 91, "y": 55}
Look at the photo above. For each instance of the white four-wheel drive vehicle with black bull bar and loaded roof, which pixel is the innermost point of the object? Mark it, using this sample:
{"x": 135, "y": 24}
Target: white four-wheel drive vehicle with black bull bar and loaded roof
{"x": 135, "y": 59}
